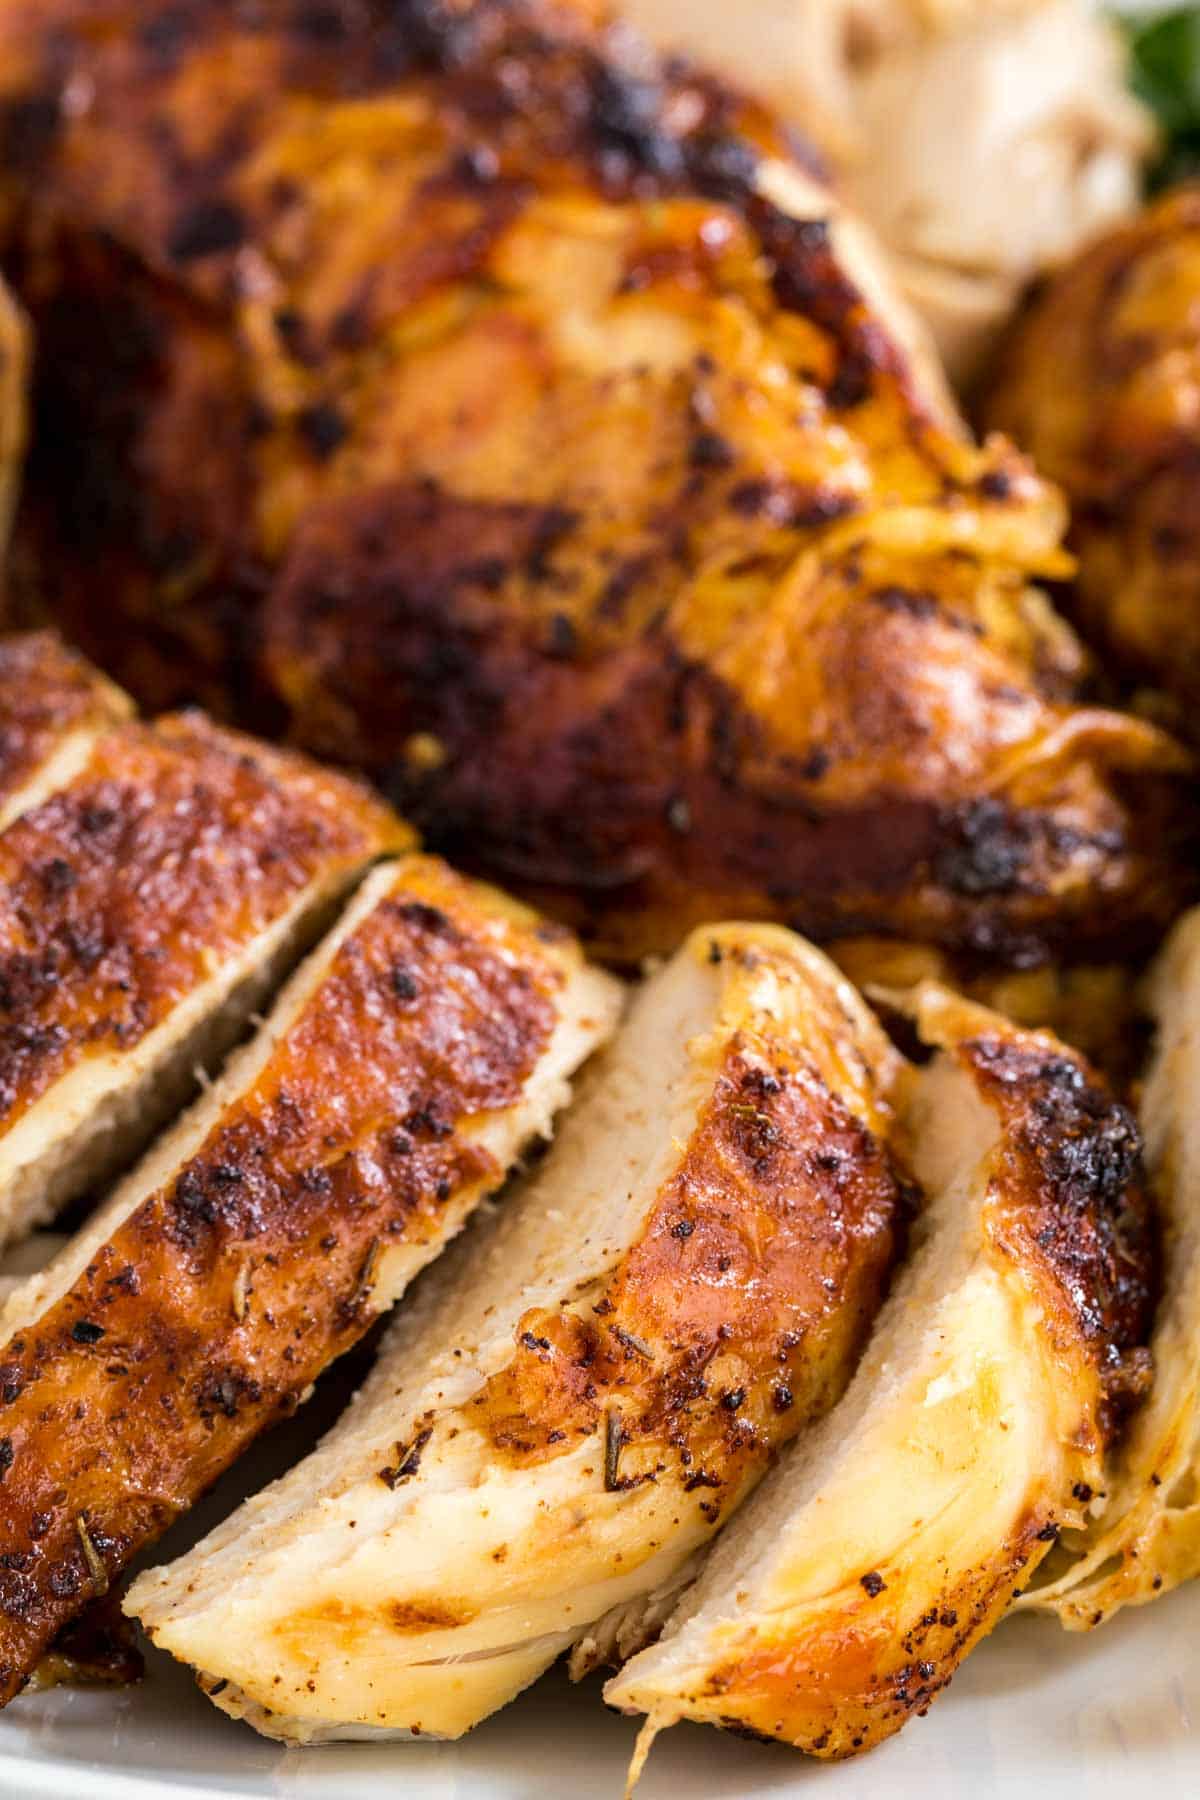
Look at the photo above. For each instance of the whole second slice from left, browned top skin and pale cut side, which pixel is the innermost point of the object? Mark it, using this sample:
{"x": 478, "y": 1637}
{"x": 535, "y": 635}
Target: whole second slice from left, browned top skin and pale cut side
{"x": 147, "y": 908}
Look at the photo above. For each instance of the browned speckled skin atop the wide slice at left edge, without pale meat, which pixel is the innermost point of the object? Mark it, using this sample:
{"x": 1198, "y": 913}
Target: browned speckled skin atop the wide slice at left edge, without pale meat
{"x": 174, "y": 850}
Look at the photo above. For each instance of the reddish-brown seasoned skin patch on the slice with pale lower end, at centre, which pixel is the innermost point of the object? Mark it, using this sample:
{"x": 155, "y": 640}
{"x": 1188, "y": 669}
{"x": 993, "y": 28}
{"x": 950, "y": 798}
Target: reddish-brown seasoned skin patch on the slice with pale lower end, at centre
{"x": 740, "y": 1311}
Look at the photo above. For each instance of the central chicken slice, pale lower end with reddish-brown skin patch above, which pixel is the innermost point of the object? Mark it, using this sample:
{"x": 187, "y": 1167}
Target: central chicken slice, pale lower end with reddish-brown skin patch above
{"x": 595, "y": 1383}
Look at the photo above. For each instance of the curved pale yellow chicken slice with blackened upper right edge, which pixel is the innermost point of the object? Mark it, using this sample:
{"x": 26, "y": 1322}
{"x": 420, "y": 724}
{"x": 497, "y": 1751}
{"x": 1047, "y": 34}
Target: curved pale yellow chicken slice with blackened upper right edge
{"x": 893, "y": 1536}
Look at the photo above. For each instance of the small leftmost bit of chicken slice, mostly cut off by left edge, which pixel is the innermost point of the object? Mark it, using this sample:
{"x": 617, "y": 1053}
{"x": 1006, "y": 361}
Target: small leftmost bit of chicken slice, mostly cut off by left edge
{"x": 53, "y": 710}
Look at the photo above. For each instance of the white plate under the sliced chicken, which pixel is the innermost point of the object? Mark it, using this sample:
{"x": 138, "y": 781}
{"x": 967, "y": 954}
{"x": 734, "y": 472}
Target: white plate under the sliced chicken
{"x": 1035, "y": 1714}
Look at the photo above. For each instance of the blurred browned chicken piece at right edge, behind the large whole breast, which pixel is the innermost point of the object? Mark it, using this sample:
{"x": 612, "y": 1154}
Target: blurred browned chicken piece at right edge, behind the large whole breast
{"x": 1102, "y": 382}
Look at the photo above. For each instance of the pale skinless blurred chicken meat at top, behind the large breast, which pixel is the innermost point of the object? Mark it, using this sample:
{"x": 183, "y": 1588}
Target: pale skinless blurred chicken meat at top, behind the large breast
{"x": 983, "y": 139}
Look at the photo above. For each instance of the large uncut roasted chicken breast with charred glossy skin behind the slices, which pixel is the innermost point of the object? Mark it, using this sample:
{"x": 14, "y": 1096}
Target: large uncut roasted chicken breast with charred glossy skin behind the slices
{"x": 497, "y": 402}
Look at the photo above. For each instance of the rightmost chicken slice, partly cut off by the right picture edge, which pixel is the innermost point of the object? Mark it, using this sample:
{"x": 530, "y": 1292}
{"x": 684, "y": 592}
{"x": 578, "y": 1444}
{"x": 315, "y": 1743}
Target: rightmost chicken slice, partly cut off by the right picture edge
{"x": 1147, "y": 1540}
